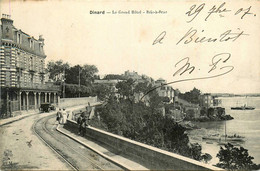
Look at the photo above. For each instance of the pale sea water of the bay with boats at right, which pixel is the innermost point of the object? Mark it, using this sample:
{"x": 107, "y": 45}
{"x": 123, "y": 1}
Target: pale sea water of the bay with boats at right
{"x": 245, "y": 123}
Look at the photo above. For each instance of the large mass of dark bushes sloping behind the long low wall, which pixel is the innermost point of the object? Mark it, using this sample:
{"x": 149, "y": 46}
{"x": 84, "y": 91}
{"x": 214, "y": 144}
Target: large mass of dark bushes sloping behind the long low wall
{"x": 146, "y": 124}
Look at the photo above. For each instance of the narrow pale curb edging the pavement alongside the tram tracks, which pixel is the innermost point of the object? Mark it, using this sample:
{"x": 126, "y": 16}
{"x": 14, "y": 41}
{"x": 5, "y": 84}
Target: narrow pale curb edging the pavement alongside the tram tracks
{"x": 100, "y": 153}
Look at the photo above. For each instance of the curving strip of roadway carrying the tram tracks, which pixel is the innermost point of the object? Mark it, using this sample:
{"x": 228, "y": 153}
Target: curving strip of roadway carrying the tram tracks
{"x": 79, "y": 156}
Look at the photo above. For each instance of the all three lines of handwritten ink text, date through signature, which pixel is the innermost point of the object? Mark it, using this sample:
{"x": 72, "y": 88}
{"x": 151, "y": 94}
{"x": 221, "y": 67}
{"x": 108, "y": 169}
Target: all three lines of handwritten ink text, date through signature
{"x": 219, "y": 64}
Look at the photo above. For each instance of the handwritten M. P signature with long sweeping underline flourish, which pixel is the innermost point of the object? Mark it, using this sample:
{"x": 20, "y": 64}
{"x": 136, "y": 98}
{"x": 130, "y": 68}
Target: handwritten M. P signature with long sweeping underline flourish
{"x": 216, "y": 69}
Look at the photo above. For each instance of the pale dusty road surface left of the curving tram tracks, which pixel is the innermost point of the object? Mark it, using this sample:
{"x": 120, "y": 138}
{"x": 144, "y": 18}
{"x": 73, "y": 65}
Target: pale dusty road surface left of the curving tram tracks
{"x": 21, "y": 149}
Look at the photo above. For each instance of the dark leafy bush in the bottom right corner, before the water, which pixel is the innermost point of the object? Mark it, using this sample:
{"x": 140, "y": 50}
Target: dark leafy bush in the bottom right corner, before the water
{"x": 234, "y": 158}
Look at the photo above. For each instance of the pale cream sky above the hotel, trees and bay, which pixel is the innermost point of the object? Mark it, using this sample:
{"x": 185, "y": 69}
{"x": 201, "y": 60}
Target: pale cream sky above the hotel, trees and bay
{"x": 119, "y": 42}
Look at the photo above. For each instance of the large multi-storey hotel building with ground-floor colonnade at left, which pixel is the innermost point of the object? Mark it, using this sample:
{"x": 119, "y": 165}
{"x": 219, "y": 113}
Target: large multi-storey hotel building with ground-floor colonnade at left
{"x": 23, "y": 79}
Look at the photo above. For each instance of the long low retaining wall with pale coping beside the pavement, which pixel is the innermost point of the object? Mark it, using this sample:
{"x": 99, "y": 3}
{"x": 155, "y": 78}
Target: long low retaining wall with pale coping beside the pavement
{"x": 148, "y": 156}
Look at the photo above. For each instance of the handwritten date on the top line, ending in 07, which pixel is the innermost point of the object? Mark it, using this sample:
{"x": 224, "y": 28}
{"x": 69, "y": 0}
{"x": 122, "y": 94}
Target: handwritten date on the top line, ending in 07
{"x": 221, "y": 10}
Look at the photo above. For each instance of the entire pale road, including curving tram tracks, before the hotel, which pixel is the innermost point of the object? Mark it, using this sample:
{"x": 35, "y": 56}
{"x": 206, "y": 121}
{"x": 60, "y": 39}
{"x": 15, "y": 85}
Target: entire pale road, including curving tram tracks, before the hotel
{"x": 21, "y": 148}
